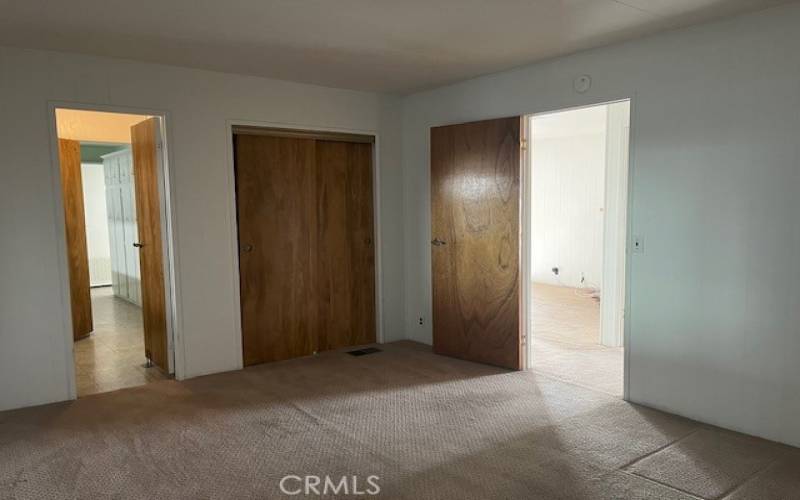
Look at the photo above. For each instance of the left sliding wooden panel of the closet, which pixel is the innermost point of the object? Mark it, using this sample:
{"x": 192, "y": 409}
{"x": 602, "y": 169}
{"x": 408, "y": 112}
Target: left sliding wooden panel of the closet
{"x": 276, "y": 210}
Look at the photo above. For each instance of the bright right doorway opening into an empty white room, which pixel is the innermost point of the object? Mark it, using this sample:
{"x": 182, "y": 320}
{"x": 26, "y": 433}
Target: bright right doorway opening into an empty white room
{"x": 577, "y": 186}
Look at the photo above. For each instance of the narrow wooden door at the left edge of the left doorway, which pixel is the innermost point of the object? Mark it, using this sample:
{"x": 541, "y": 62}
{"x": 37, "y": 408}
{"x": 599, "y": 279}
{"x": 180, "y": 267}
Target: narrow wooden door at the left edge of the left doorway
{"x": 69, "y": 153}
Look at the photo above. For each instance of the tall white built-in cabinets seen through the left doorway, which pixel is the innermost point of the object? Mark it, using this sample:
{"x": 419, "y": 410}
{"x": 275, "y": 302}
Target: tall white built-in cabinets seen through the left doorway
{"x": 122, "y": 230}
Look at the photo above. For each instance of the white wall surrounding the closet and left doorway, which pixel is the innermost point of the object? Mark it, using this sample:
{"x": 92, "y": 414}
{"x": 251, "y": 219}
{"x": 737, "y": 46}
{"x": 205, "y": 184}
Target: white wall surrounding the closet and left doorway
{"x": 33, "y": 366}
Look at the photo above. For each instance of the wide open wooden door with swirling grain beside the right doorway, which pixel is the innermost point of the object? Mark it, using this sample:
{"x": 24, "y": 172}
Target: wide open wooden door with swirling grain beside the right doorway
{"x": 475, "y": 216}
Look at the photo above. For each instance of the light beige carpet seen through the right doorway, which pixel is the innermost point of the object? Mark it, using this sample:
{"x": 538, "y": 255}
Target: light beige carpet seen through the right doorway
{"x": 566, "y": 340}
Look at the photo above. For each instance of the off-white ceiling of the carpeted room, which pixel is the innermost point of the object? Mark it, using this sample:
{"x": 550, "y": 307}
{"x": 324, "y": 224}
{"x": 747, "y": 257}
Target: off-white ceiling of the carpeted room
{"x": 383, "y": 45}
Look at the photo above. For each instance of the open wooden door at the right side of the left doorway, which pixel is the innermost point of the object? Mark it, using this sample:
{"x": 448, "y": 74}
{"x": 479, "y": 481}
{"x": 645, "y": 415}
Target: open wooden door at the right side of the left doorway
{"x": 145, "y": 144}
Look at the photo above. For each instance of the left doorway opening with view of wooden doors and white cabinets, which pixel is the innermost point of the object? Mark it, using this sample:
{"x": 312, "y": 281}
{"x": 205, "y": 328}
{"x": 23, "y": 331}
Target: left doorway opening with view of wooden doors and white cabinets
{"x": 112, "y": 168}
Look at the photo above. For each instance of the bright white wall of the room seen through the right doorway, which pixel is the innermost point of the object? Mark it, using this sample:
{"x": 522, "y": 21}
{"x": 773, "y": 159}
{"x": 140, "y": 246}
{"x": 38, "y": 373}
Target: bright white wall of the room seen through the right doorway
{"x": 568, "y": 162}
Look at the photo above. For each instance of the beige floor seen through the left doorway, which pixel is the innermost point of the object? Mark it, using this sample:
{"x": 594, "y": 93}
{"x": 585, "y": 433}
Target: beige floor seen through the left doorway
{"x": 112, "y": 357}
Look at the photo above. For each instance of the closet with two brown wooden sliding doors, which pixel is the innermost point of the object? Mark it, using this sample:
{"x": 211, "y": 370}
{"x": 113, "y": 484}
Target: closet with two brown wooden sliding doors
{"x": 306, "y": 241}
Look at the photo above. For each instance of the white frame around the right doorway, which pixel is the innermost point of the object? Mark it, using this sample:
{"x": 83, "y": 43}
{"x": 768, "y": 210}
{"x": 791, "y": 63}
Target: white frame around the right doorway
{"x": 527, "y": 243}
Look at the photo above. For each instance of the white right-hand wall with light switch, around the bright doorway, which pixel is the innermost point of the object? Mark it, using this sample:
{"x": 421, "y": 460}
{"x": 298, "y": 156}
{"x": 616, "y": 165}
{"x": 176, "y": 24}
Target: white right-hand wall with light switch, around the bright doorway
{"x": 714, "y": 299}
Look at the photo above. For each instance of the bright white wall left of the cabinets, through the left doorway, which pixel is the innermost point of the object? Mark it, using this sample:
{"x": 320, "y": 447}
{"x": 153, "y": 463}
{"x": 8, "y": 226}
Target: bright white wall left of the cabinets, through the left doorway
{"x": 96, "y": 216}
